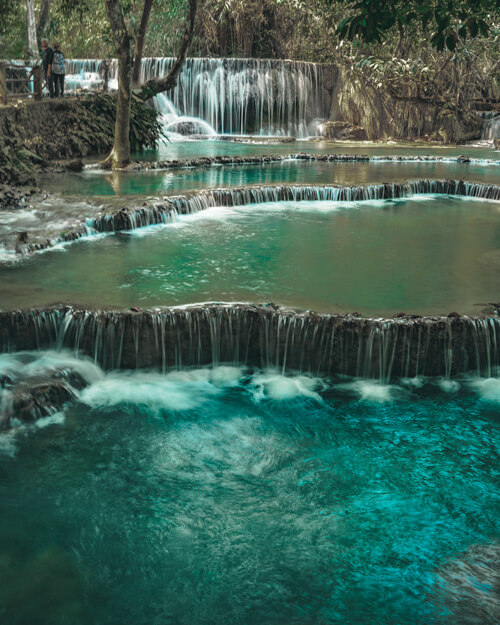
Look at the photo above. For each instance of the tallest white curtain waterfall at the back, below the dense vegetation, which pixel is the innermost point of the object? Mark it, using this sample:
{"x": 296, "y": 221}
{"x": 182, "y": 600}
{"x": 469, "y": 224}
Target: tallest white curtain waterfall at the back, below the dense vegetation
{"x": 236, "y": 96}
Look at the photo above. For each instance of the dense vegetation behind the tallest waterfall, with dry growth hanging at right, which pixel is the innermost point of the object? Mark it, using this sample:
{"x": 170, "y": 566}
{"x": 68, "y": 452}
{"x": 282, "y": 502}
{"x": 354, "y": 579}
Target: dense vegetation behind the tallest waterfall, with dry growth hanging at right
{"x": 420, "y": 66}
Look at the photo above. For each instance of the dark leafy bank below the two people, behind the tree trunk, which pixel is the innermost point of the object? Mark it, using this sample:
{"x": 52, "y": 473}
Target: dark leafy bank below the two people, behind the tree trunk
{"x": 33, "y": 133}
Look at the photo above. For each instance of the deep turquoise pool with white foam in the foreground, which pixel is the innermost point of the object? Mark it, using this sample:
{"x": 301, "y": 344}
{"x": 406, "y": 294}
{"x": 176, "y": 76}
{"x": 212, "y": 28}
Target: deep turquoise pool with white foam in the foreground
{"x": 226, "y": 496}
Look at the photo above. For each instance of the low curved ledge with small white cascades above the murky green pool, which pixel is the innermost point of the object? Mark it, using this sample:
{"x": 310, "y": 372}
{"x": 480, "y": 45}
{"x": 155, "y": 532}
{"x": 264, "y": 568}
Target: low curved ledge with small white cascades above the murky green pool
{"x": 169, "y": 208}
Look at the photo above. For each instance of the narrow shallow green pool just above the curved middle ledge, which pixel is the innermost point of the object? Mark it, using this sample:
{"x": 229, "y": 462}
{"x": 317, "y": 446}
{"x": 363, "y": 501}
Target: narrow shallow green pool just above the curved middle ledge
{"x": 91, "y": 182}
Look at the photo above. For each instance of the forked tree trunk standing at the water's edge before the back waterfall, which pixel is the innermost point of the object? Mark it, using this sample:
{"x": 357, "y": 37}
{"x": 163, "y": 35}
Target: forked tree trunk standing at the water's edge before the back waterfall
{"x": 123, "y": 19}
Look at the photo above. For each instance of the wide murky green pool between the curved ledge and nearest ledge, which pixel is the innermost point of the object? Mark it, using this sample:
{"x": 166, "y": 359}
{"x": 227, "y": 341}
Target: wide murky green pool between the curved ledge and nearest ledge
{"x": 428, "y": 255}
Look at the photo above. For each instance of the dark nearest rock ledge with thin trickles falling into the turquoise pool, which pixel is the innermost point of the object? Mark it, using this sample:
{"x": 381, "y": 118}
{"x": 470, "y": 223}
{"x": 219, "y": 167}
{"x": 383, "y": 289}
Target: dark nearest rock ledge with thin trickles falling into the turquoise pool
{"x": 262, "y": 336}
